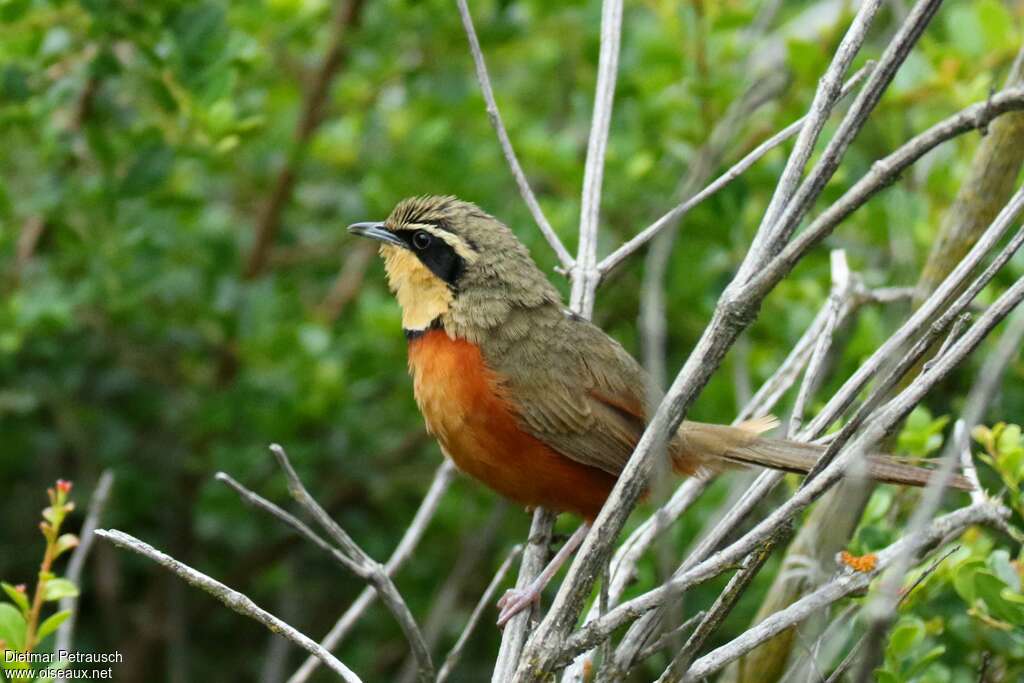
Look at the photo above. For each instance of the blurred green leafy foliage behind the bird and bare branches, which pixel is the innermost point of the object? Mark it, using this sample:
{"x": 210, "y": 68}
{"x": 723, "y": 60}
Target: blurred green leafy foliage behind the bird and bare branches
{"x": 180, "y": 291}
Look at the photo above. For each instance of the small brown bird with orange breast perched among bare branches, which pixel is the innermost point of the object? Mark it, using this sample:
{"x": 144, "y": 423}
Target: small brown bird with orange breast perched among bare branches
{"x": 530, "y": 399}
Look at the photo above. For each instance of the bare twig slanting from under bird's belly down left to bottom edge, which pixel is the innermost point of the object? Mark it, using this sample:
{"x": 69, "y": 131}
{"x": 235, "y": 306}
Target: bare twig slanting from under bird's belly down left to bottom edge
{"x": 410, "y": 540}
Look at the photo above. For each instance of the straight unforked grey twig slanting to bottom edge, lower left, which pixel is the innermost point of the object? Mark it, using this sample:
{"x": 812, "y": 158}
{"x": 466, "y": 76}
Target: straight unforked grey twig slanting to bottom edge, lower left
{"x": 232, "y": 599}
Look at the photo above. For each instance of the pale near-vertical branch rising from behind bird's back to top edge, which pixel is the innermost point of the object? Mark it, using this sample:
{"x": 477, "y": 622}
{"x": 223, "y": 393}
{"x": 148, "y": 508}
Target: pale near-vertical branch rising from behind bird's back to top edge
{"x": 586, "y": 276}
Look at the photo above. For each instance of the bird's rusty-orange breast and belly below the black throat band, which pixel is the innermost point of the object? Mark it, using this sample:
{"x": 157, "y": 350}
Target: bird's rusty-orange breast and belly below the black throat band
{"x": 461, "y": 400}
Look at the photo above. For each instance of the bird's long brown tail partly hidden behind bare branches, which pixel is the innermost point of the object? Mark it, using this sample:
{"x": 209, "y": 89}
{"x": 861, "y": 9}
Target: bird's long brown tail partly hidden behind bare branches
{"x": 743, "y": 445}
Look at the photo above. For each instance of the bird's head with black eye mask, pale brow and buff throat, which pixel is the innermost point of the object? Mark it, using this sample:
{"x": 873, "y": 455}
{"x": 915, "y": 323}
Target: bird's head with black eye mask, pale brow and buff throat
{"x": 449, "y": 263}
